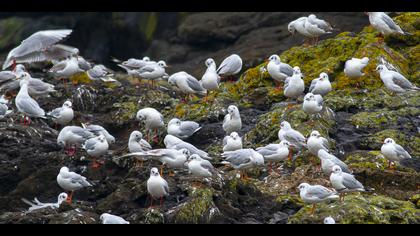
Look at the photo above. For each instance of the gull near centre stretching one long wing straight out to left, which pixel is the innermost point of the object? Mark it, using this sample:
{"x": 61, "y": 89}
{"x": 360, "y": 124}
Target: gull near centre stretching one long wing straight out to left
{"x": 171, "y": 157}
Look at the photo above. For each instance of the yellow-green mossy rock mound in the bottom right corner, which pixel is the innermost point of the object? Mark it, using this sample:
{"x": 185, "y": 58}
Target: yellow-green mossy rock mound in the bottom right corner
{"x": 361, "y": 209}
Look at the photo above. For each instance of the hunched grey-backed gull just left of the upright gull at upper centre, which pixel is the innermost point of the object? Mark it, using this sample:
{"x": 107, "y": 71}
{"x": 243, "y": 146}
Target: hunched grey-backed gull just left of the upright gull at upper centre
{"x": 187, "y": 84}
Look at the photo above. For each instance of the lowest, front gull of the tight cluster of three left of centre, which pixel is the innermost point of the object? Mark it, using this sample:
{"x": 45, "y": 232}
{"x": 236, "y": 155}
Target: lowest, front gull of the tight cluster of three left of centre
{"x": 96, "y": 147}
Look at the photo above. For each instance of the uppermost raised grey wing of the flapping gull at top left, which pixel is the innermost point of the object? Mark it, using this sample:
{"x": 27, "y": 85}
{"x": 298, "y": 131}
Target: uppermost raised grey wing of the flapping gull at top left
{"x": 39, "y": 41}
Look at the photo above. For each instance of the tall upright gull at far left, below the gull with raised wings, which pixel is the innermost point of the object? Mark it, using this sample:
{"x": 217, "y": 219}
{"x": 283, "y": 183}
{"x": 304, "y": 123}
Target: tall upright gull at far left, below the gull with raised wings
{"x": 27, "y": 105}
